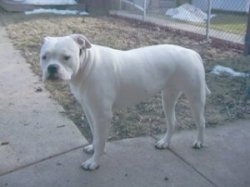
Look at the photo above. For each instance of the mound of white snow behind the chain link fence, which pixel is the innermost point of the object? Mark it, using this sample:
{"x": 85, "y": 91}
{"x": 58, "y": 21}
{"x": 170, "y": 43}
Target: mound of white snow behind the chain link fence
{"x": 187, "y": 12}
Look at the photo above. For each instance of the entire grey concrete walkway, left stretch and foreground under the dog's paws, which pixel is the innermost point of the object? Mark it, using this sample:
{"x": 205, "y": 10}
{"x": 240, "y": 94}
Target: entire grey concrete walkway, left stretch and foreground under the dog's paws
{"x": 40, "y": 147}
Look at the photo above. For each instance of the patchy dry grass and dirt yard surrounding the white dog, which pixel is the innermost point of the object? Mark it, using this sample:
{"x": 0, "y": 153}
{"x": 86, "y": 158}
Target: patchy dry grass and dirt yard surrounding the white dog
{"x": 223, "y": 105}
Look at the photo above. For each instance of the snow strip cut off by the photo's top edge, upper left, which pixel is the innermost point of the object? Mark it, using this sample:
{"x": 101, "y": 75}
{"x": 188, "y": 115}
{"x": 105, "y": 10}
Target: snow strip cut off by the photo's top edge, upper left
{"x": 48, "y": 2}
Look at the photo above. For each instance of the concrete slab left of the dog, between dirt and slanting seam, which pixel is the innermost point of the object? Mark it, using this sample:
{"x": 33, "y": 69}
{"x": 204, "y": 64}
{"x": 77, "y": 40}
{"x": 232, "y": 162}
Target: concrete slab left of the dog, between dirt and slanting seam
{"x": 32, "y": 126}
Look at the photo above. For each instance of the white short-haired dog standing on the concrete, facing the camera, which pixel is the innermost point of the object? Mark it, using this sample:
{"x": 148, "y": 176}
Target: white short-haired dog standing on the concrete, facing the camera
{"x": 103, "y": 79}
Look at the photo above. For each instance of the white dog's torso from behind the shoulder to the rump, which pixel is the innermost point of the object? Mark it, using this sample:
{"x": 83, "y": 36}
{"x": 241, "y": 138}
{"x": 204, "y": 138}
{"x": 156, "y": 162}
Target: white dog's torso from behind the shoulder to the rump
{"x": 140, "y": 73}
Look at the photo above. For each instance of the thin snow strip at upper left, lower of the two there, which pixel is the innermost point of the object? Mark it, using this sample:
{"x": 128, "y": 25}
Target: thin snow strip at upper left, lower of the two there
{"x": 55, "y": 11}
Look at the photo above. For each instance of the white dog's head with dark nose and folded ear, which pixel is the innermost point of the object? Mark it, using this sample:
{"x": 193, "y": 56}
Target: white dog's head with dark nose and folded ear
{"x": 60, "y": 56}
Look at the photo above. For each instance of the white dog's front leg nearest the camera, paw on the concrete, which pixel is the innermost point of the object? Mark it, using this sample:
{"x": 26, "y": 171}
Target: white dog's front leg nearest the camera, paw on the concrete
{"x": 101, "y": 122}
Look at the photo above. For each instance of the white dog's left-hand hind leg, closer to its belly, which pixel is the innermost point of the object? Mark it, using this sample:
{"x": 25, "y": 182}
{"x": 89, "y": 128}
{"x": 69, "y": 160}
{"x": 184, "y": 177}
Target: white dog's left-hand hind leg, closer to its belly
{"x": 169, "y": 99}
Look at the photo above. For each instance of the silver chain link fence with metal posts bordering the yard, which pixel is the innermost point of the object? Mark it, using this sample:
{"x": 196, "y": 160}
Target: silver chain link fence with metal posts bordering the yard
{"x": 221, "y": 19}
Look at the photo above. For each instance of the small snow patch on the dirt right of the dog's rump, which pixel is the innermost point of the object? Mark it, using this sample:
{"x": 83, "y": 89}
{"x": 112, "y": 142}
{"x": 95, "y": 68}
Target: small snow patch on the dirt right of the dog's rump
{"x": 226, "y": 71}
